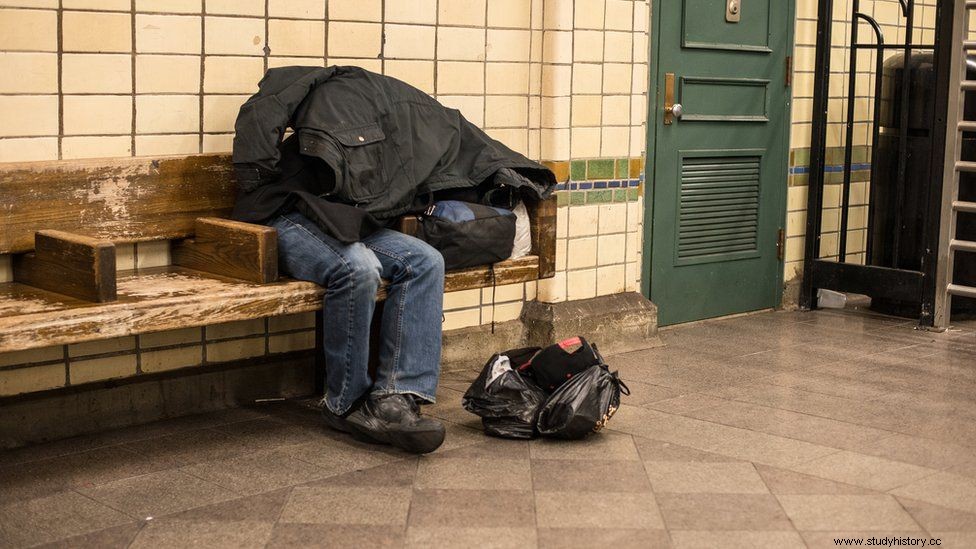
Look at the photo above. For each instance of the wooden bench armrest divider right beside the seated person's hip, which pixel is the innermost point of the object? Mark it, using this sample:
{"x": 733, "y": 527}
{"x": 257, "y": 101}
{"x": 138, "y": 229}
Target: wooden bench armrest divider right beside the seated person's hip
{"x": 230, "y": 248}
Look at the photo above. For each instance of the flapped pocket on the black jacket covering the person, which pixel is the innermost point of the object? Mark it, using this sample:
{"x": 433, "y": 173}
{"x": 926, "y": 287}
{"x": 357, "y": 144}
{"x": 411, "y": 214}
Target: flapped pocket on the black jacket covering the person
{"x": 363, "y": 150}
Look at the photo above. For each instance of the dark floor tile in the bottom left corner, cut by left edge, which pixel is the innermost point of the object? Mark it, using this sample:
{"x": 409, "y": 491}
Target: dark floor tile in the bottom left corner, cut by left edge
{"x": 54, "y": 517}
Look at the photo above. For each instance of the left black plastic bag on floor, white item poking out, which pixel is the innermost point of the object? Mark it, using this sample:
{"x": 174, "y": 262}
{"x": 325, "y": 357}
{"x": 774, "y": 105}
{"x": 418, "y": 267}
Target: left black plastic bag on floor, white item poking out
{"x": 507, "y": 402}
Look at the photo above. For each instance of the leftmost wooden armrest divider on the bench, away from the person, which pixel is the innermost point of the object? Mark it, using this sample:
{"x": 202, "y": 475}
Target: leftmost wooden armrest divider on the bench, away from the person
{"x": 70, "y": 264}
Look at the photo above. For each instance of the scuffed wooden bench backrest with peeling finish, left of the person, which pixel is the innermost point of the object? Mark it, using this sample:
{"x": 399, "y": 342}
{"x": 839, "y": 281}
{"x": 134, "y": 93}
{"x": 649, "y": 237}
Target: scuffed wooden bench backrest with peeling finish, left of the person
{"x": 122, "y": 200}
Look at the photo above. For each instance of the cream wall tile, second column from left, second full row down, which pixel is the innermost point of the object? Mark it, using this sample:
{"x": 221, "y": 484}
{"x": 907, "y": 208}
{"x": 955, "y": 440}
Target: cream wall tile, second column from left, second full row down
{"x": 96, "y": 73}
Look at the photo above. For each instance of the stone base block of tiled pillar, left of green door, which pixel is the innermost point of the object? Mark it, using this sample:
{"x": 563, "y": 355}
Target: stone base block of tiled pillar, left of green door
{"x": 617, "y": 323}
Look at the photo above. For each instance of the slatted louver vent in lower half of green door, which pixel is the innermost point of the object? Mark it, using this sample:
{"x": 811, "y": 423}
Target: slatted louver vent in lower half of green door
{"x": 719, "y": 206}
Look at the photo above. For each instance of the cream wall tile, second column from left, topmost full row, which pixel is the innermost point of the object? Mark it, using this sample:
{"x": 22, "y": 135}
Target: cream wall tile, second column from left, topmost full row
{"x": 97, "y": 32}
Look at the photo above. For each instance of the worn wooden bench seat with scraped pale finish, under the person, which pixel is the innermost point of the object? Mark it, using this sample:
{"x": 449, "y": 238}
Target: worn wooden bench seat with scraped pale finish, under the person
{"x": 165, "y": 298}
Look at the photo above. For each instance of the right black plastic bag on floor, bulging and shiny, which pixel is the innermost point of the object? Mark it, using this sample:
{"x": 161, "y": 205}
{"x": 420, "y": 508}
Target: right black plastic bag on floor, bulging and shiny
{"x": 582, "y": 405}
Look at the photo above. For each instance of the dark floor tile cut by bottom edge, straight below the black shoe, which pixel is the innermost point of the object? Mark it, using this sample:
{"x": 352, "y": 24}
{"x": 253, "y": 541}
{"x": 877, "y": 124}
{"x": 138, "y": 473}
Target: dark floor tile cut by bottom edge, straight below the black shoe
{"x": 334, "y": 536}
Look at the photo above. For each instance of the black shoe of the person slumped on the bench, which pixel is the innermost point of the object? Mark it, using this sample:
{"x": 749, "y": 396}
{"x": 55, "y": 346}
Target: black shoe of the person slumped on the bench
{"x": 390, "y": 419}
